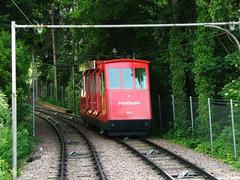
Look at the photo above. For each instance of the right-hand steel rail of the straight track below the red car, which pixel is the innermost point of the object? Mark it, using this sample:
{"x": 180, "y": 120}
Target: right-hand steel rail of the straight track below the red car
{"x": 205, "y": 173}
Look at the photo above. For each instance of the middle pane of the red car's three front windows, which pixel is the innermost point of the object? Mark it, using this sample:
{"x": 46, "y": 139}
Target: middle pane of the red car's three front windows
{"x": 127, "y": 78}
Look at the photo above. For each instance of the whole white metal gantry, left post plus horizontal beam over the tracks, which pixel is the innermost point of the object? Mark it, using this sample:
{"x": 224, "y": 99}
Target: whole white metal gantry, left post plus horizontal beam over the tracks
{"x": 13, "y": 34}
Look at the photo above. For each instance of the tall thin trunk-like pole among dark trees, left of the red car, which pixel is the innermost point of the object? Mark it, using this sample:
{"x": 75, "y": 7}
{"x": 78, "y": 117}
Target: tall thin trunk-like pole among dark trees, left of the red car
{"x": 54, "y": 54}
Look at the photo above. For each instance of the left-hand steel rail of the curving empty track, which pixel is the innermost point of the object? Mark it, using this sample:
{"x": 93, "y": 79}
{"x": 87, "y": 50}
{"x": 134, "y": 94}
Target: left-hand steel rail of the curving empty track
{"x": 62, "y": 172}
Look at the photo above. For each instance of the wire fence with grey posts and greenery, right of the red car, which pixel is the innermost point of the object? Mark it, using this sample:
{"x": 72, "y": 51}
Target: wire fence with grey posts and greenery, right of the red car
{"x": 217, "y": 125}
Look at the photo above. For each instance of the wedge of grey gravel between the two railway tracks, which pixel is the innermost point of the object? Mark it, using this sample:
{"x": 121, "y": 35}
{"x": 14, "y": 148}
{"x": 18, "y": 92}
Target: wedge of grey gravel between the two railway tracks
{"x": 119, "y": 163}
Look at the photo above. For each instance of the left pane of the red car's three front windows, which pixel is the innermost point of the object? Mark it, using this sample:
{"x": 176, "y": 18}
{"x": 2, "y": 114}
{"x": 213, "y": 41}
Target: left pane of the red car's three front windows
{"x": 114, "y": 78}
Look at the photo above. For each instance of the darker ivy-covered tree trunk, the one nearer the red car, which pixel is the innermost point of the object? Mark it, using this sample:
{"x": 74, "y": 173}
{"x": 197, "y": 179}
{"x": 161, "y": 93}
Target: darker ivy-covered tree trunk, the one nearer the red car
{"x": 178, "y": 78}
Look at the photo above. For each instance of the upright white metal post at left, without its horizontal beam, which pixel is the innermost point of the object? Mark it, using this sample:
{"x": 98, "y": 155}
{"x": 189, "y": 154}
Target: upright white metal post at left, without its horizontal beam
{"x": 14, "y": 103}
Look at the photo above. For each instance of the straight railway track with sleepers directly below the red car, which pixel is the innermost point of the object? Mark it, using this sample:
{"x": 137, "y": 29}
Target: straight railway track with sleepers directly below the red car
{"x": 166, "y": 162}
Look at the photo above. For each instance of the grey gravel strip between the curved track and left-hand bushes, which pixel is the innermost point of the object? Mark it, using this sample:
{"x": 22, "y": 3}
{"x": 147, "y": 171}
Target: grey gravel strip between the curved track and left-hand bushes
{"x": 45, "y": 158}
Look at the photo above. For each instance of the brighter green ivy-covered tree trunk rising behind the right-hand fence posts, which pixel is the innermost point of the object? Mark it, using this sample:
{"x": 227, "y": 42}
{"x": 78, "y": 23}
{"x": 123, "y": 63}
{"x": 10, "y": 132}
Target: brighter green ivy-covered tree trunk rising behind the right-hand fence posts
{"x": 203, "y": 53}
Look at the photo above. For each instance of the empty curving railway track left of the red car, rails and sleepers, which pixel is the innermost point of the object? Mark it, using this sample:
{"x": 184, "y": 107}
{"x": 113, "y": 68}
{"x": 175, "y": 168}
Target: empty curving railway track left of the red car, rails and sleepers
{"x": 81, "y": 159}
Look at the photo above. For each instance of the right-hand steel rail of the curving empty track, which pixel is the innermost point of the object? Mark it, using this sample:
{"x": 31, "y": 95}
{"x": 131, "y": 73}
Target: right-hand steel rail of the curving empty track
{"x": 90, "y": 146}
